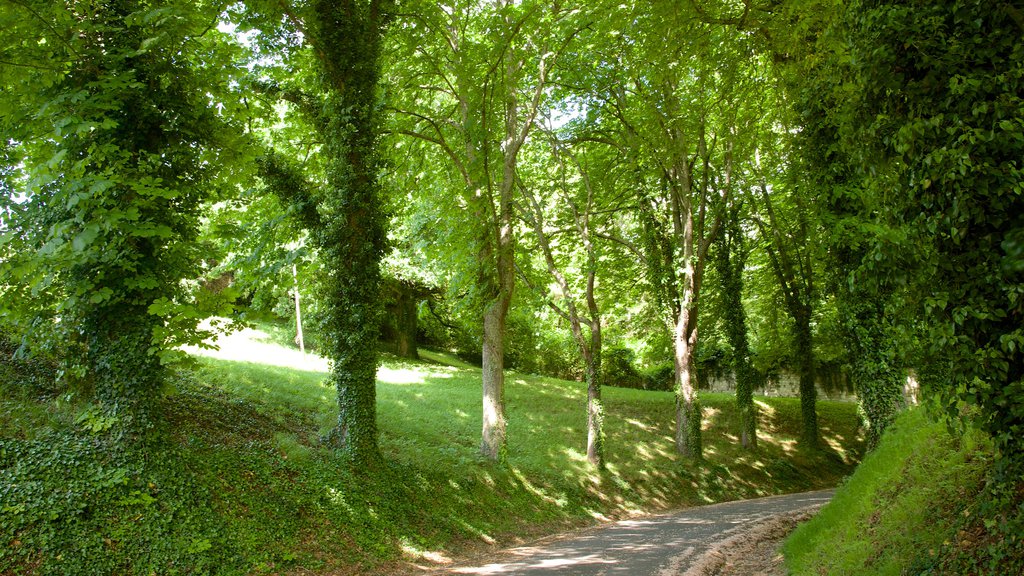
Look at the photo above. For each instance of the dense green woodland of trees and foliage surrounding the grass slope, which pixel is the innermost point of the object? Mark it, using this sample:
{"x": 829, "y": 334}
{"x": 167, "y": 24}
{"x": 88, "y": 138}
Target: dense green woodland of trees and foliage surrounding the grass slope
{"x": 647, "y": 195}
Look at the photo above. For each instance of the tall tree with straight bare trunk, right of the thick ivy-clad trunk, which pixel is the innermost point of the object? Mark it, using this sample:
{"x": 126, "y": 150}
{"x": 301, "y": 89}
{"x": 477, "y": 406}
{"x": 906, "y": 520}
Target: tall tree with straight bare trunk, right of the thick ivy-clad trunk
{"x": 475, "y": 75}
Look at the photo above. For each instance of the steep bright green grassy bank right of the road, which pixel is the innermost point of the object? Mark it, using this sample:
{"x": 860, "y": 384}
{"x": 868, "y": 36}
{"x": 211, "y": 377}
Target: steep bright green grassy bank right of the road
{"x": 910, "y": 509}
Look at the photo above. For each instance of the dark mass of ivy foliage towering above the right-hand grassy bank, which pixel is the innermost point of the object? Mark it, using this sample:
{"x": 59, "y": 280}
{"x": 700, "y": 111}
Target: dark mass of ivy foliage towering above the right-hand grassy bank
{"x": 919, "y": 120}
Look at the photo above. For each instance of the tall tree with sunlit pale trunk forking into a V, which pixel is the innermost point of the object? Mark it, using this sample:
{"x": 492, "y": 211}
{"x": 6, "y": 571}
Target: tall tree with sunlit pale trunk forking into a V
{"x": 675, "y": 119}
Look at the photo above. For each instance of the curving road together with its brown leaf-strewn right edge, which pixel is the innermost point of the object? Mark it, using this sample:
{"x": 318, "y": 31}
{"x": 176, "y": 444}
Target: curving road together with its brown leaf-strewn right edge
{"x": 700, "y": 542}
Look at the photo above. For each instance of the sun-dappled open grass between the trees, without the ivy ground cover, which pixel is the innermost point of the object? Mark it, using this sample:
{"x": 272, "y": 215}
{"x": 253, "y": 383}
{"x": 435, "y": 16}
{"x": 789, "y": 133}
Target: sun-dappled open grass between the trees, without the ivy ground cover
{"x": 430, "y": 424}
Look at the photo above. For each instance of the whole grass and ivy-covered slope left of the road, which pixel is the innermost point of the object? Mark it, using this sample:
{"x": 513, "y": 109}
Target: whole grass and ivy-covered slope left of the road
{"x": 244, "y": 487}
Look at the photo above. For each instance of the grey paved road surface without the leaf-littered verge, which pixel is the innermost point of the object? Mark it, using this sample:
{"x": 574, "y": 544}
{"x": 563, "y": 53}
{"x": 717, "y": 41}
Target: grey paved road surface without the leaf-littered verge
{"x": 661, "y": 546}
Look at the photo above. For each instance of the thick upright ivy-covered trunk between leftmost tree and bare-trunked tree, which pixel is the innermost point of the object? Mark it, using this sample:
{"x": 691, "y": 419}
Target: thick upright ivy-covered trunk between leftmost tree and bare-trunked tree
{"x": 352, "y": 235}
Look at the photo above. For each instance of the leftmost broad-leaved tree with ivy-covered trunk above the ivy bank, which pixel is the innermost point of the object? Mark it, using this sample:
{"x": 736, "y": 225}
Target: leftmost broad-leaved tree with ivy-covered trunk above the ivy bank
{"x": 109, "y": 107}
